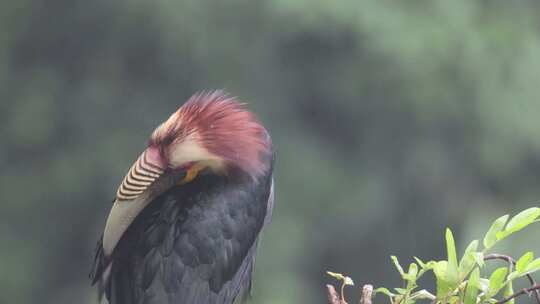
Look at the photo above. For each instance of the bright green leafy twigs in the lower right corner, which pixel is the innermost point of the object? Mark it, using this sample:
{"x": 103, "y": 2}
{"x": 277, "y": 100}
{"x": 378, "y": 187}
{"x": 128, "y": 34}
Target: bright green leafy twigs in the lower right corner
{"x": 467, "y": 281}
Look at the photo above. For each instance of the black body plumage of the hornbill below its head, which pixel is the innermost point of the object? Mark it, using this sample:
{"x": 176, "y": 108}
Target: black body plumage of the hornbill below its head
{"x": 195, "y": 243}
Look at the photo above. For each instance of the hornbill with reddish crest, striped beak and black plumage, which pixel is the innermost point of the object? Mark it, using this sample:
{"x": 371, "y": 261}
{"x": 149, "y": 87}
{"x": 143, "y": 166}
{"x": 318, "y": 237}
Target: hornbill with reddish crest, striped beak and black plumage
{"x": 186, "y": 219}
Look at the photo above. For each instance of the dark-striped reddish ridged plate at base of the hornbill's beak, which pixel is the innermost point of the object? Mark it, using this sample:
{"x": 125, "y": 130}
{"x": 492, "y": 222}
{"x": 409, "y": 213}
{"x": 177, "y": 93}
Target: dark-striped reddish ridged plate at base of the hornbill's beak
{"x": 144, "y": 172}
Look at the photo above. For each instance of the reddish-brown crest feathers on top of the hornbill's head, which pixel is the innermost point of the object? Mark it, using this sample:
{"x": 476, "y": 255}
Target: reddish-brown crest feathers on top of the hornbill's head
{"x": 225, "y": 128}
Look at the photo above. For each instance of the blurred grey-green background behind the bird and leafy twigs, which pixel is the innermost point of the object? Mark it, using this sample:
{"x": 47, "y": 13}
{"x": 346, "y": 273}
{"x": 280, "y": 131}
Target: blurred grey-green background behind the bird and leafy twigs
{"x": 391, "y": 120}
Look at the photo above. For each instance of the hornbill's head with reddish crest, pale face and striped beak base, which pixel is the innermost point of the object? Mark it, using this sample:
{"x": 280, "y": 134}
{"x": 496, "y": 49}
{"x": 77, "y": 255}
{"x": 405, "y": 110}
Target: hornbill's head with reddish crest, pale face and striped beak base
{"x": 210, "y": 131}
